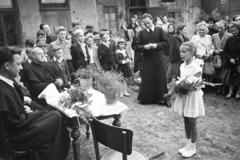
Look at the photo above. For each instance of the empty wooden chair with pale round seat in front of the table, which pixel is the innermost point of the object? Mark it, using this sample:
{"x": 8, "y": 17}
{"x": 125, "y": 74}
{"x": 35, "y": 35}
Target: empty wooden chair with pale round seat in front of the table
{"x": 116, "y": 138}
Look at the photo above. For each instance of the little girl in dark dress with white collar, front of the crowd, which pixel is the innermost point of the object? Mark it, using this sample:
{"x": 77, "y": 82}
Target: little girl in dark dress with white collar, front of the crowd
{"x": 123, "y": 60}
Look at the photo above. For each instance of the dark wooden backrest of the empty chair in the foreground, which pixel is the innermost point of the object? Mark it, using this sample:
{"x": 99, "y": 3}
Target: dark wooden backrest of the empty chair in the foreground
{"x": 119, "y": 139}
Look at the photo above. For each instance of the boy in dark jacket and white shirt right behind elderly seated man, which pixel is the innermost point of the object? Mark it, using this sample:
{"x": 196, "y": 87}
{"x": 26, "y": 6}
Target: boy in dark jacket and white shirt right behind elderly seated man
{"x": 61, "y": 62}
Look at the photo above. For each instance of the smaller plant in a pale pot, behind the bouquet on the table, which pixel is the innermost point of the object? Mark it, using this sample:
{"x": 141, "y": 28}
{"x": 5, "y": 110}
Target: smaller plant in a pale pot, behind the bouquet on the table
{"x": 84, "y": 77}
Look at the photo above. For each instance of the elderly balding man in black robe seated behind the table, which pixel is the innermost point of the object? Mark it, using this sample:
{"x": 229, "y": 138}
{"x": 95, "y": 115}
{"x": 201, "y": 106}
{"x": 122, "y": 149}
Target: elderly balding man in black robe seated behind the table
{"x": 40, "y": 74}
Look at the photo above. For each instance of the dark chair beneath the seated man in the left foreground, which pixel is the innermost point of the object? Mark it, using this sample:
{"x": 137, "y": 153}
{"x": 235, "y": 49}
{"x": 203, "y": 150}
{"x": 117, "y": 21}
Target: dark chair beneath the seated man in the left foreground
{"x": 6, "y": 153}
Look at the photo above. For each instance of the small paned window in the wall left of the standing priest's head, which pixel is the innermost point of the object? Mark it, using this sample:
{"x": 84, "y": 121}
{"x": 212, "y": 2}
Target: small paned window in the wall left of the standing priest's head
{"x": 110, "y": 16}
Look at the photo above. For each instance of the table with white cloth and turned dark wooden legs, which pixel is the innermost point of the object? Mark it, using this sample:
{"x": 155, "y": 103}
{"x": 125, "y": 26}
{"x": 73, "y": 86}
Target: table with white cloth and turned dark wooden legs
{"x": 96, "y": 105}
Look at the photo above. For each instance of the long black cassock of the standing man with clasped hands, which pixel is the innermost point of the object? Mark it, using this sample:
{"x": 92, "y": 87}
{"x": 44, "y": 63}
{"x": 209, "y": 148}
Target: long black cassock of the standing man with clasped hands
{"x": 153, "y": 85}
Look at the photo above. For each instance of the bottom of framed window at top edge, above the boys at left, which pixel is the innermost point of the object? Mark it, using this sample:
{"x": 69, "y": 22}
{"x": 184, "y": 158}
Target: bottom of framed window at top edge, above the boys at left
{"x": 54, "y": 4}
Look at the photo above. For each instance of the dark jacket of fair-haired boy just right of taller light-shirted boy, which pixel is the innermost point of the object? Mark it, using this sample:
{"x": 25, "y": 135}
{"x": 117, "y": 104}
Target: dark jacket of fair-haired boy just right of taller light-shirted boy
{"x": 78, "y": 59}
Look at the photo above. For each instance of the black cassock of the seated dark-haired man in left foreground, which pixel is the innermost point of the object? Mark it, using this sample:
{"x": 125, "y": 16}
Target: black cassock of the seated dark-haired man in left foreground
{"x": 41, "y": 133}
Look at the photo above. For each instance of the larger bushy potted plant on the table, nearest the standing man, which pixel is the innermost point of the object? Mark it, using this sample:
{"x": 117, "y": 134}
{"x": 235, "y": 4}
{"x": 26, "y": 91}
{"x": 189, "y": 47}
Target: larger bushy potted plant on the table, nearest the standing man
{"x": 109, "y": 84}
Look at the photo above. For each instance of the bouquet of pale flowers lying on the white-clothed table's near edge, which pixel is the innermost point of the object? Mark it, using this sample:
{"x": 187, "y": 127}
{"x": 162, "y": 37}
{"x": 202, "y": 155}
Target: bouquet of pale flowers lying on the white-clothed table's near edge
{"x": 76, "y": 98}
